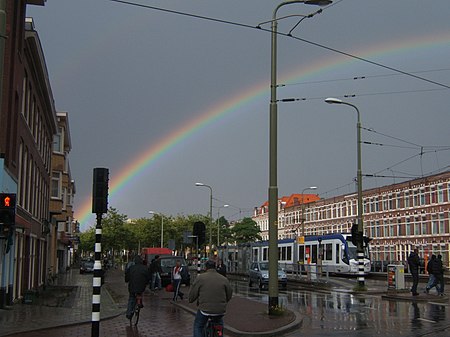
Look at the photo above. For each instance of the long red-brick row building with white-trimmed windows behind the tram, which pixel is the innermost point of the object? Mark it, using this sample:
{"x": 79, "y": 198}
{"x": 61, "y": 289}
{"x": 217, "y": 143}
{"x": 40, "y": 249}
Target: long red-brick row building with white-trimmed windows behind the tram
{"x": 396, "y": 217}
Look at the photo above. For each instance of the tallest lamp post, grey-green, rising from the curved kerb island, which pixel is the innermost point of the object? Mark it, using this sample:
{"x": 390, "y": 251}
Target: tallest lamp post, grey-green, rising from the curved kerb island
{"x": 273, "y": 188}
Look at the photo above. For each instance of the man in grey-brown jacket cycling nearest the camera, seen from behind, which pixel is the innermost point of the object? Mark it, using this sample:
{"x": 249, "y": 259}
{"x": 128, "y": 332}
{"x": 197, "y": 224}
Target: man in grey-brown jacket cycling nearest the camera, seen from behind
{"x": 212, "y": 292}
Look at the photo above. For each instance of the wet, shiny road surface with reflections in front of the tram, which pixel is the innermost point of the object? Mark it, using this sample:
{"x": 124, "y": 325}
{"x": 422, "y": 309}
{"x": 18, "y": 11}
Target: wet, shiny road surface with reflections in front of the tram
{"x": 344, "y": 314}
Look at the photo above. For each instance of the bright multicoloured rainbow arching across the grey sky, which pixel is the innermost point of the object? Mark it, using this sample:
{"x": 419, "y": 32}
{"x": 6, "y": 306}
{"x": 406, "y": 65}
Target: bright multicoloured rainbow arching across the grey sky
{"x": 213, "y": 115}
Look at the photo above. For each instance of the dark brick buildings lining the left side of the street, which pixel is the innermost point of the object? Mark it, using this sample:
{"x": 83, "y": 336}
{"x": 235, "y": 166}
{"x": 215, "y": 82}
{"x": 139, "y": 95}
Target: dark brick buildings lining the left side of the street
{"x": 28, "y": 124}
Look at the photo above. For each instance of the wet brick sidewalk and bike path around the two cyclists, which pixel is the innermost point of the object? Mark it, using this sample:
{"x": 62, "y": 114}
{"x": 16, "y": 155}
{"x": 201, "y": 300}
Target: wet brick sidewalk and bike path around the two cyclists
{"x": 160, "y": 316}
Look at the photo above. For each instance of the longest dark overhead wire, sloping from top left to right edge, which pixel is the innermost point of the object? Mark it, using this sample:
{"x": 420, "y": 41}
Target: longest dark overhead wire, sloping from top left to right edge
{"x": 282, "y": 34}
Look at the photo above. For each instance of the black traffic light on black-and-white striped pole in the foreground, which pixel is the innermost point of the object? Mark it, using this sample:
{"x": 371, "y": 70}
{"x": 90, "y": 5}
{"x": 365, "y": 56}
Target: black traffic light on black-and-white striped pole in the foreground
{"x": 99, "y": 207}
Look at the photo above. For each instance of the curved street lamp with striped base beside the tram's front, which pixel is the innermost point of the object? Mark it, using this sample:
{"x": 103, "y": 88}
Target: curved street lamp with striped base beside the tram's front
{"x": 360, "y": 249}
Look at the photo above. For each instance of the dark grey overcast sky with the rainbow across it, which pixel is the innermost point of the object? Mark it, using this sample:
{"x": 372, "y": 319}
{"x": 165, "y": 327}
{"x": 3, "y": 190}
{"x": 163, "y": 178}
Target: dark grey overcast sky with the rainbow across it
{"x": 133, "y": 77}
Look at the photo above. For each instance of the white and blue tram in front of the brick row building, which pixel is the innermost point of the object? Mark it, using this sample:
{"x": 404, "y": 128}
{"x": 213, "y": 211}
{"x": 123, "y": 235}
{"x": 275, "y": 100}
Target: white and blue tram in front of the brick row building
{"x": 335, "y": 252}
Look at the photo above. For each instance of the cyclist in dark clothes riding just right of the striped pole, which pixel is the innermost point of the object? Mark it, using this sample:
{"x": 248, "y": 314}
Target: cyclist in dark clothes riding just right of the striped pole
{"x": 137, "y": 276}
